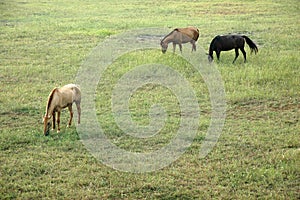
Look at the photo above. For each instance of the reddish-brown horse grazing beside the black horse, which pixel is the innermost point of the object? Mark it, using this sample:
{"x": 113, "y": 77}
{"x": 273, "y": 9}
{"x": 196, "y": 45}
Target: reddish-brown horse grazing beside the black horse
{"x": 180, "y": 36}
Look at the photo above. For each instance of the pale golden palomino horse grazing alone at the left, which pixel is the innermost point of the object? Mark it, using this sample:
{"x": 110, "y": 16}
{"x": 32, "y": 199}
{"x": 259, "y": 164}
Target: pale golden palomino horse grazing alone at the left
{"x": 58, "y": 99}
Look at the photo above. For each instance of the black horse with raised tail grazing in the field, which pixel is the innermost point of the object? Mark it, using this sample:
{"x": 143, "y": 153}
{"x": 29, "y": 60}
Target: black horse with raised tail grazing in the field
{"x": 229, "y": 42}
